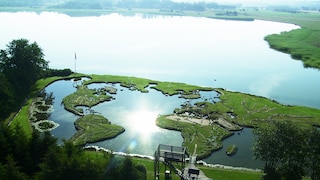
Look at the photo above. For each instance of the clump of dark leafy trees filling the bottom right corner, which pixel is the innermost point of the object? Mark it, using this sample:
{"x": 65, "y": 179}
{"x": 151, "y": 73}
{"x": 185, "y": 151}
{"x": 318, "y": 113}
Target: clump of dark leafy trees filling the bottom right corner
{"x": 289, "y": 151}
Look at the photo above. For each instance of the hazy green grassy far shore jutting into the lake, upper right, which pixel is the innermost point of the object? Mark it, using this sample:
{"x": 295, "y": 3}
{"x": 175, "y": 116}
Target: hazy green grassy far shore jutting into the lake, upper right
{"x": 302, "y": 44}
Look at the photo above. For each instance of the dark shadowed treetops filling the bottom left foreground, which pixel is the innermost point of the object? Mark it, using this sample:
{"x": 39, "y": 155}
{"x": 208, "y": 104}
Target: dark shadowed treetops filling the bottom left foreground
{"x": 40, "y": 157}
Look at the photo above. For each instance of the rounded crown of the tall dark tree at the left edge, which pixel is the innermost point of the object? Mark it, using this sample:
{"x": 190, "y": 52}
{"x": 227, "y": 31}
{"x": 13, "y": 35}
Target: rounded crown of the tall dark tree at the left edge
{"x": 23, "y": 64}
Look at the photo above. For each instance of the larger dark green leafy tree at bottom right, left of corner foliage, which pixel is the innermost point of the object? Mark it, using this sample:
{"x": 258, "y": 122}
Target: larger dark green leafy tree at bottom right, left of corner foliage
{"x": 282, "y": 147}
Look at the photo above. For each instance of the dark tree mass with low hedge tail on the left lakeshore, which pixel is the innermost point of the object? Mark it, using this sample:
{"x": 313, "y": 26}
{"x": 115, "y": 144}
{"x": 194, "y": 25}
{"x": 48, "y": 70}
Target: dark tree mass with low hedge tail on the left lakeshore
{"x": 21, "y": 64}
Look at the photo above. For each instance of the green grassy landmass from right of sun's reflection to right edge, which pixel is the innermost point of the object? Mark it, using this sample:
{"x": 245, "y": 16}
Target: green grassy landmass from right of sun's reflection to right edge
{"x": 249, "y": 110}
